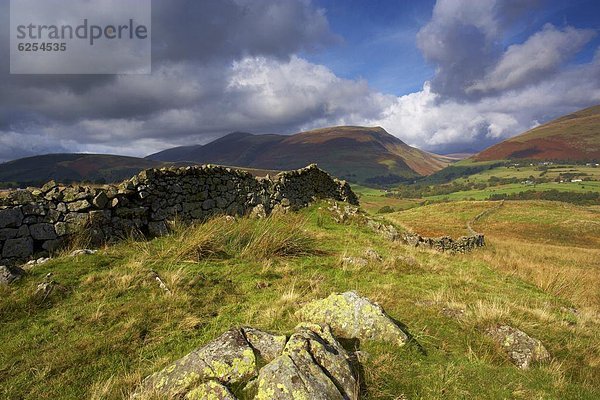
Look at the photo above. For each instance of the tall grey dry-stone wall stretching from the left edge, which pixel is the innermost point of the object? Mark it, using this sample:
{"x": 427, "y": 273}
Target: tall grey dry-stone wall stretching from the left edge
{"x": 39, "y": 221}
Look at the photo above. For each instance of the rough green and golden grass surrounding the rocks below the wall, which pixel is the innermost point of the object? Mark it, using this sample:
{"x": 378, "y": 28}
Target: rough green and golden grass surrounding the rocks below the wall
{"x": 112, "y": 324}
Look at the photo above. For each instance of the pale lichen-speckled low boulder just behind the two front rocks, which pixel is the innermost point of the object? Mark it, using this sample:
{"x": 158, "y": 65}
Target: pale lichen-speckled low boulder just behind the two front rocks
{"x": 353, "y": 317}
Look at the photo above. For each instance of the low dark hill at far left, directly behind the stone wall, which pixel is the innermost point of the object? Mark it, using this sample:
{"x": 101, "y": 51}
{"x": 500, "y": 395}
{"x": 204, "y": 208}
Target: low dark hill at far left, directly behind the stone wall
{"x": 99, "y": 168}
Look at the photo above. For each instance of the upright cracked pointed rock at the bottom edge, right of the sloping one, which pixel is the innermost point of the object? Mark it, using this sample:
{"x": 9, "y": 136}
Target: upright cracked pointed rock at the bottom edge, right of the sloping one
{"x": 311, "y": 367}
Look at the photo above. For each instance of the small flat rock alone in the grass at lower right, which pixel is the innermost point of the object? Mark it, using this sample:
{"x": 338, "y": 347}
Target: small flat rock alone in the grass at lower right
{"x": 522, "y": 349}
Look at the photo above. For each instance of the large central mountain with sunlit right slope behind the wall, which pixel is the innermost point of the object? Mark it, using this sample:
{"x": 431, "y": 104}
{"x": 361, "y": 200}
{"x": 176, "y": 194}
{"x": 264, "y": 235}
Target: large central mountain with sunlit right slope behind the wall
{"x": 359, "y": 154}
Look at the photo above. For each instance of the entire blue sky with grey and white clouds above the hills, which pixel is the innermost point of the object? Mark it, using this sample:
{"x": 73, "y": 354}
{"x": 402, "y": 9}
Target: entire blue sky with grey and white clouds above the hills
{"x": 445, "y": 76}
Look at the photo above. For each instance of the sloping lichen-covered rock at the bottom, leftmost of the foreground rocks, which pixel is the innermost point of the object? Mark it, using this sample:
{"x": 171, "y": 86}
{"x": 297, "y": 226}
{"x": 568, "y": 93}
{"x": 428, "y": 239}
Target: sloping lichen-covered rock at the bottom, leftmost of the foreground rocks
{"x": 228, "y": 359}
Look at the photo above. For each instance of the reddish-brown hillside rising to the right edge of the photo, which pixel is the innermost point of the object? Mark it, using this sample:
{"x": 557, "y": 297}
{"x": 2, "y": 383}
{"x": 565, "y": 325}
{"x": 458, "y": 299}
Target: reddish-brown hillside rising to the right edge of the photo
{"x": 573, "y": 137}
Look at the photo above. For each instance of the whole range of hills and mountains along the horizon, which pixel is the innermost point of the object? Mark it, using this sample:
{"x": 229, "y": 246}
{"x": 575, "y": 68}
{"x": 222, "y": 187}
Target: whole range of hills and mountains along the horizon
{"x": 366, "y": 155}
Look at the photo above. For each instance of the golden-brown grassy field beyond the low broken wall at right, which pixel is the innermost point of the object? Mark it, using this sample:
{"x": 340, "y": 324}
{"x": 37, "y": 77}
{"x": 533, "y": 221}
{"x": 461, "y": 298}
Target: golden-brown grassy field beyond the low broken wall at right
{"x": 554, "y": 245}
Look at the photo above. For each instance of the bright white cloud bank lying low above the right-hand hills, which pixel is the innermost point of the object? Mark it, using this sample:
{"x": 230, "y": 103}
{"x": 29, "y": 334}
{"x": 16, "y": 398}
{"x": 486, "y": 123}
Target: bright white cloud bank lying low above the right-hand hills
{"x": 428, "y": 120}
